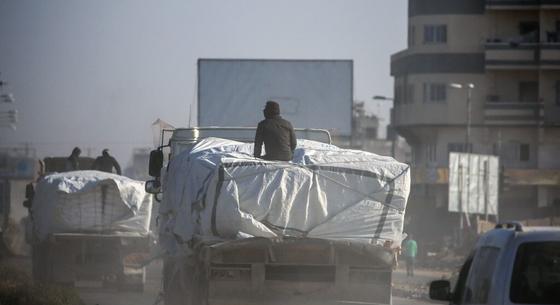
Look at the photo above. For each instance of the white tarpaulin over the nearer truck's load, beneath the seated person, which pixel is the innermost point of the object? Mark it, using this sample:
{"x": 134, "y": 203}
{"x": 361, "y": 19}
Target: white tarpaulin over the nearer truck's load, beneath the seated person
{"x": 218, "y": 189}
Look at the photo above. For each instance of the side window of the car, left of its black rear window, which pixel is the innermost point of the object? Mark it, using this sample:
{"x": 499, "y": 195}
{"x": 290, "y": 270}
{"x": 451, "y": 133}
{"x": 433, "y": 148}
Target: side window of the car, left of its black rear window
{"x": 479, "y": 283}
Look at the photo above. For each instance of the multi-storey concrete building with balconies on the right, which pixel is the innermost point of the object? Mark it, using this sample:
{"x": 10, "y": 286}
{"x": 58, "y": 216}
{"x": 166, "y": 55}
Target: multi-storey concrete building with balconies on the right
{"x": 510, "y": 51}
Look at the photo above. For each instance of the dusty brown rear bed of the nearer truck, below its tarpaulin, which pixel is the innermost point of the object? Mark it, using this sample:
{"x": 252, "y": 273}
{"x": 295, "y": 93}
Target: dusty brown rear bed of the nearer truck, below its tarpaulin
{"x": 289, "y": 271}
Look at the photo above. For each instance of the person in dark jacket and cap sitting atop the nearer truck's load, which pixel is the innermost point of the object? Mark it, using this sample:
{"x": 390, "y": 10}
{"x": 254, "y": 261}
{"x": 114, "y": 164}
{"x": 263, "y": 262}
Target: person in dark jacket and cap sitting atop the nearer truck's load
{"x": 276, "y": 133}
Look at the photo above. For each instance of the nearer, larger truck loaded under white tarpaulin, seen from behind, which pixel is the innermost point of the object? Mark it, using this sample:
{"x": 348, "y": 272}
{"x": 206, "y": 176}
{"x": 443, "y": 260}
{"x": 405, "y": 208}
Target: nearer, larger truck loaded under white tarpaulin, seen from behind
{"x": 321, "y": 229}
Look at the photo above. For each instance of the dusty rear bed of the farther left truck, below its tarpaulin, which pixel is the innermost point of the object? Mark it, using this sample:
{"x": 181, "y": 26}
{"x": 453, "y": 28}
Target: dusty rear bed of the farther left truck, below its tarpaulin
{"x": 95, "y": 260}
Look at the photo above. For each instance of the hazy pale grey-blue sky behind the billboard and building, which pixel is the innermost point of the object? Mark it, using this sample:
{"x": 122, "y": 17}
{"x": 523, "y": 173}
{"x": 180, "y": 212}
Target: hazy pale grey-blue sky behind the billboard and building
{"x": 97, "y": 73}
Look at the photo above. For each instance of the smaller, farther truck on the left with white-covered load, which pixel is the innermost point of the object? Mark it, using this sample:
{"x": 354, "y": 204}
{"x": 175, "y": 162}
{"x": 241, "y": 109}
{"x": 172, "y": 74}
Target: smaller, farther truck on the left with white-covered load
{"x": 89, "y": 229}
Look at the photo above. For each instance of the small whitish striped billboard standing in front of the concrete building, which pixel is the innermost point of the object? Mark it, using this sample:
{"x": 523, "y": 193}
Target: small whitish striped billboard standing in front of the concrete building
{"x": 473, "y": 183}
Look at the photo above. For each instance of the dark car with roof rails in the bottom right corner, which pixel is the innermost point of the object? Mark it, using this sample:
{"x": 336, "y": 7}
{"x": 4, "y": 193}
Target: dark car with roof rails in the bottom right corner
{"x": 510, "y": 264}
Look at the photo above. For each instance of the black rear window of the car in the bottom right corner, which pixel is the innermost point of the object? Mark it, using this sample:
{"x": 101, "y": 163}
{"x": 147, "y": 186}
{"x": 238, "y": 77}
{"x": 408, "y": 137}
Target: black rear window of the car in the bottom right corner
{"x": 535, "y": 273}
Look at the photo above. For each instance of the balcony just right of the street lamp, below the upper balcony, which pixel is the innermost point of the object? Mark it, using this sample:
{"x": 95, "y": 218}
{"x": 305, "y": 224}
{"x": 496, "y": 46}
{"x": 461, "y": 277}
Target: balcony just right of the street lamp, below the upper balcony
{"x": 512, "y": 113}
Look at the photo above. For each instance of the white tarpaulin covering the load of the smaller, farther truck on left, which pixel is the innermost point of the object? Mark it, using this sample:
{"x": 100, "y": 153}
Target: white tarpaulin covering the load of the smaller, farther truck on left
{"x": 90, "y": 201}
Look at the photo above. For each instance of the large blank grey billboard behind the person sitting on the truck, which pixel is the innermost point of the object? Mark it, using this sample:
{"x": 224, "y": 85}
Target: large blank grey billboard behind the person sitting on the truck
{"x": 311, "y": 93}
